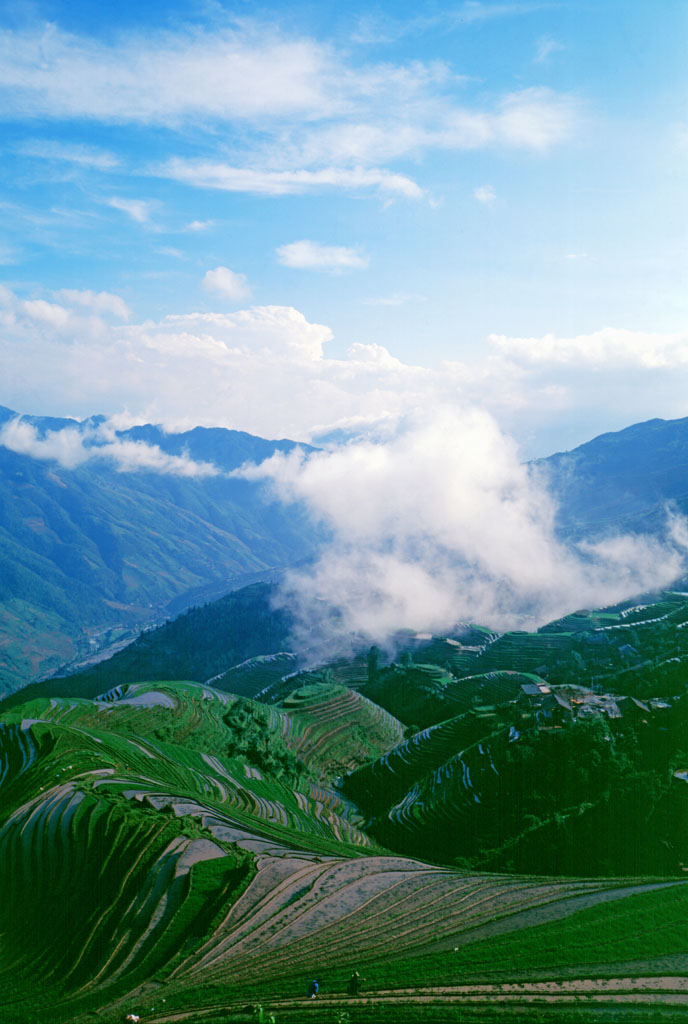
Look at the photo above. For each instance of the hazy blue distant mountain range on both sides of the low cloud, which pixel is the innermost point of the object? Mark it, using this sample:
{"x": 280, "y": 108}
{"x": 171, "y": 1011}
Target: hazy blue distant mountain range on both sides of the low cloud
{"x": 93, "y": 554}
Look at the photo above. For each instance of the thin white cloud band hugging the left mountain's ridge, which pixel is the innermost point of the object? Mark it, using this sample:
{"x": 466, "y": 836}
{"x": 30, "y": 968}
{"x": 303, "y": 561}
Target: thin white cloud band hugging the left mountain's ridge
{"x": 72, "y": 447}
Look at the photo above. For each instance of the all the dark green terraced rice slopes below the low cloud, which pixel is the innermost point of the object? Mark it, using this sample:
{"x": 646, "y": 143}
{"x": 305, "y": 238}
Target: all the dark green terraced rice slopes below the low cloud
{"x": 183, "y": 854}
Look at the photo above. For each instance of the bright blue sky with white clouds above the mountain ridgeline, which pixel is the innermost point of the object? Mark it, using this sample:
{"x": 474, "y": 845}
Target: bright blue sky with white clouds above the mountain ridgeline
{"x": 317, "y": 220}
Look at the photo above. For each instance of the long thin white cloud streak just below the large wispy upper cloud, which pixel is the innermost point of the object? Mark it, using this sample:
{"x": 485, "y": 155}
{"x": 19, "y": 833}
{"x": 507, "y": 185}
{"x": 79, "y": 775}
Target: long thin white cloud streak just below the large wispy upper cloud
{"x": 270, "y": 183}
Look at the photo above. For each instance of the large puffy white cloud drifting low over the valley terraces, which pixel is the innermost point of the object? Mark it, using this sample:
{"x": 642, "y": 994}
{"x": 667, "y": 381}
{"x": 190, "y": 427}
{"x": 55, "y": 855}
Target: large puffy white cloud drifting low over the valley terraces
{"x": 444, "y": 524}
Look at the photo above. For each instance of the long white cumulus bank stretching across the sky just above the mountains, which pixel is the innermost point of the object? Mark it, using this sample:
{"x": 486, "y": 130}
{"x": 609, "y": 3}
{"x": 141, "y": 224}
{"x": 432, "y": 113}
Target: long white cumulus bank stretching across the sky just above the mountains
{"x": 269, "y": 370}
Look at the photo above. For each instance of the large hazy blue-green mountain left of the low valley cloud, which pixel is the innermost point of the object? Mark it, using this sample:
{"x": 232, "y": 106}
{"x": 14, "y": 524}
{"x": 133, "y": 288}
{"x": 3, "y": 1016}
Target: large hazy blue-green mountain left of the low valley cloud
{"x": 93, "y": 554}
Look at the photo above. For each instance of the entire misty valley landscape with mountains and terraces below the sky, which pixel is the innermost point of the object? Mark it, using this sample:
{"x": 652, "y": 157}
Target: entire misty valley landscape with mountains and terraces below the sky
{"x": 283, "y": 778}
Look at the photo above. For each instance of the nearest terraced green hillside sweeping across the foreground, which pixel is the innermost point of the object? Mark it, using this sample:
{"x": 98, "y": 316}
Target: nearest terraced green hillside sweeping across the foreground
{"x": 151, "y": 866}
